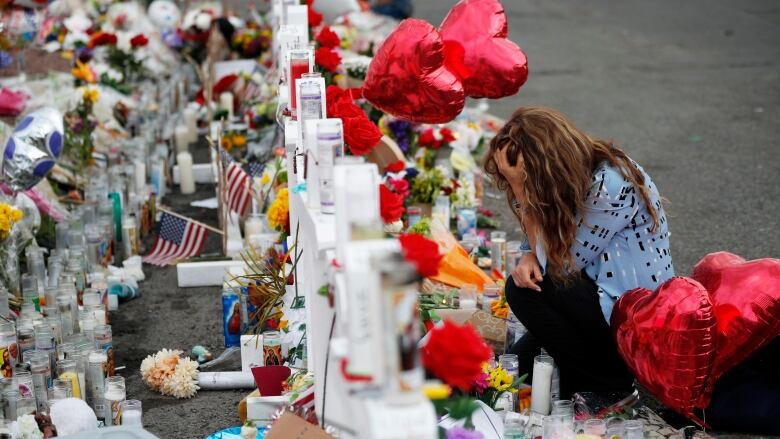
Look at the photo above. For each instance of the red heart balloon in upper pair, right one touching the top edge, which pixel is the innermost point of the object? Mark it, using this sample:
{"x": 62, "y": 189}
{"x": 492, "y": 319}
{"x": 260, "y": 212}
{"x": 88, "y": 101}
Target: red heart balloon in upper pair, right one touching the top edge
{"x": 475, "y": 41}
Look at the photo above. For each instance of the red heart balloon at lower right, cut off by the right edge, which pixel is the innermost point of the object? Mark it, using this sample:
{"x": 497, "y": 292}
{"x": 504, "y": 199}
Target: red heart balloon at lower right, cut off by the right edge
{"x": 746, "y": 300}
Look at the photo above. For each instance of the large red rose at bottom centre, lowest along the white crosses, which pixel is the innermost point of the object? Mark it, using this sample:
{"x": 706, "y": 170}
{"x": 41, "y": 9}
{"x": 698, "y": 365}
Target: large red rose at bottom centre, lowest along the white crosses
{"x": 455, "y": 354}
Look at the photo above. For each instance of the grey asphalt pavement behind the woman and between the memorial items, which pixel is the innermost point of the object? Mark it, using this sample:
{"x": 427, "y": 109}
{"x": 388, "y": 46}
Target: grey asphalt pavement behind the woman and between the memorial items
{"x": 691, "y": 90}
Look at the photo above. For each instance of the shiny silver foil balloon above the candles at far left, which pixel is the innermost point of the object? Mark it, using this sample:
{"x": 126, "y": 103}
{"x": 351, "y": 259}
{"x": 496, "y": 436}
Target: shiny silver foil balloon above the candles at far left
{"x": 33, "y": 148}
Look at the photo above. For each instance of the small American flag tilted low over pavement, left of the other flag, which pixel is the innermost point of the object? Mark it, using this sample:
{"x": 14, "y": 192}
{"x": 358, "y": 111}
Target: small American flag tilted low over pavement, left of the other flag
{"x": 178, "y": 239}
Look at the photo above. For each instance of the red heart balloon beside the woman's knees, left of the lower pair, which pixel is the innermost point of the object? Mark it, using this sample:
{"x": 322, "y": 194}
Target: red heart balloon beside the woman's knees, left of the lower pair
{"x": 667, "y": 338}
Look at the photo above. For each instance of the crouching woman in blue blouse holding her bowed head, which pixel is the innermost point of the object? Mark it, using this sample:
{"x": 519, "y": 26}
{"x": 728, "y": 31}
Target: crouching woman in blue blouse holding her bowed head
{"x": 596, "y": 229}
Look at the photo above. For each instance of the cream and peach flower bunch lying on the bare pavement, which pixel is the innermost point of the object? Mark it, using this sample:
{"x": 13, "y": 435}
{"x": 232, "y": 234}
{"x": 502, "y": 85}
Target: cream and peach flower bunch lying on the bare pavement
{"x": 169, "y": 374}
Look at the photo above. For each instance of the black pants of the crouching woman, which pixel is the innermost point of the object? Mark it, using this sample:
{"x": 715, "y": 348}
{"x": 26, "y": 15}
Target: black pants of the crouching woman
{"x": 567, "y": 321}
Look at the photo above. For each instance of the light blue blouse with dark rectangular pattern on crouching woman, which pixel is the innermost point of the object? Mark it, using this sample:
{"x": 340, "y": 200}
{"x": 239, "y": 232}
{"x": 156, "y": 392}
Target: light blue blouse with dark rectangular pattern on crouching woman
{"x": 614, "y": 244}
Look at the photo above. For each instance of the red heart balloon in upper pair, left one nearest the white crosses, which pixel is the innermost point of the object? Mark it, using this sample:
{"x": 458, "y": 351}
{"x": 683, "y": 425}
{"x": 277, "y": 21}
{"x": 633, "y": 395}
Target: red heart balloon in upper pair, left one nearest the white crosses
{"x": 408, "y": 79}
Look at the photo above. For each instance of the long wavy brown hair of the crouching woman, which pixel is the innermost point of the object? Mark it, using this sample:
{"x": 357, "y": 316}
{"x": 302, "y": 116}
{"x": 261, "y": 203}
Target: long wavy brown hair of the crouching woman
{"x": 559, "y": 161}
